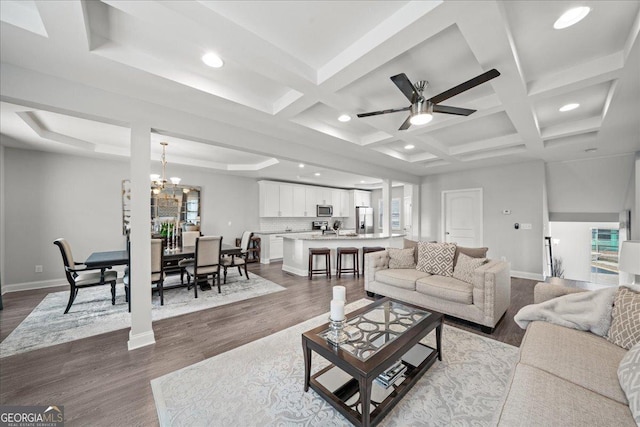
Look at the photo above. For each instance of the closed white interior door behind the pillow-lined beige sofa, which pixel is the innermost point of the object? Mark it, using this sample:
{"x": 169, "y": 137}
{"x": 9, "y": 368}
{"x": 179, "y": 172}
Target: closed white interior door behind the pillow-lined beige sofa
{"x": 462, "y": 214}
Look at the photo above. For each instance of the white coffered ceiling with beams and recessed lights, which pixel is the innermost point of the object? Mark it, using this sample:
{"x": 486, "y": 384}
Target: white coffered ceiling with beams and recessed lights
{"x": 76, "y": 75}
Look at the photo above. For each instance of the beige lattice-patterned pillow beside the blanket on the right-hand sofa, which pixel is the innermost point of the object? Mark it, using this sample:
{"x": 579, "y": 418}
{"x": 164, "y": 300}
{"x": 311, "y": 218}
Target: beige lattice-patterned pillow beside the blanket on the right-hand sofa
{"x": 625, "y": 326}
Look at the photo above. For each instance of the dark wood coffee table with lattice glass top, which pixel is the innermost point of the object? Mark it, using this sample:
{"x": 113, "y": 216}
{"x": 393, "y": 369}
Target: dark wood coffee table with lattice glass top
{"x": 382, "y": 360}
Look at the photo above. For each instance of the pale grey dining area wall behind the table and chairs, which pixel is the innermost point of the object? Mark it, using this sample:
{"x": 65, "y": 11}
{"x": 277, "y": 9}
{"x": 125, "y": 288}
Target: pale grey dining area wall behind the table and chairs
{"x": 53, "y": 195}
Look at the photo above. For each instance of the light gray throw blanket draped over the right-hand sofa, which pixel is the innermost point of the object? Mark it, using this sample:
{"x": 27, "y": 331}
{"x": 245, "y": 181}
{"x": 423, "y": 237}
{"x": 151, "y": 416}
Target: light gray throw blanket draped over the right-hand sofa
{"x": 585, "y": 311}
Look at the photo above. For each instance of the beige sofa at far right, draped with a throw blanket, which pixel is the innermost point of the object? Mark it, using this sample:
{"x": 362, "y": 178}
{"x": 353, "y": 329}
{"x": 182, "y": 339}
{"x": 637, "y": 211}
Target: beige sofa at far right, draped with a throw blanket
{"x": 565, "y": 377}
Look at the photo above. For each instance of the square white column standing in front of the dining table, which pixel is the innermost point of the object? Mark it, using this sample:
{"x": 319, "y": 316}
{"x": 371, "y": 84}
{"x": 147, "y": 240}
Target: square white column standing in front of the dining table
{"x": 141, "y": 333}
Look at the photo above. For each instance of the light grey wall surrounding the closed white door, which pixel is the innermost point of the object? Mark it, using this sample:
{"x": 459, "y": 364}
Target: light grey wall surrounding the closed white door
{"x": 518, "y": 187}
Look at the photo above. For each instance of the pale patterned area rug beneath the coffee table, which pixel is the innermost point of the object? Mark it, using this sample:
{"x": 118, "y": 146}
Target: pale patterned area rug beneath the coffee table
{"x": 261, "y": 384}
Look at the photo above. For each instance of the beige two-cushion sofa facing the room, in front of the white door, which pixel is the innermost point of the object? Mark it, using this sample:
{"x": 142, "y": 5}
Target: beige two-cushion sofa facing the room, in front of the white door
{"x": 484, "y": 302}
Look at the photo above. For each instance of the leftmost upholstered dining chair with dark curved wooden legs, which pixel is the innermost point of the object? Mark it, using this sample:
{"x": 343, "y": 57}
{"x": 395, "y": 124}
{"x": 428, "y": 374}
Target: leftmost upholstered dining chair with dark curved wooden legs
{"x": 80, "y": 276}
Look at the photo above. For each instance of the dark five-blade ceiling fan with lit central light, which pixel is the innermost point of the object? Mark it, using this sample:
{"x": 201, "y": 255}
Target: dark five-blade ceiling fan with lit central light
{"x": 422, "y": 109}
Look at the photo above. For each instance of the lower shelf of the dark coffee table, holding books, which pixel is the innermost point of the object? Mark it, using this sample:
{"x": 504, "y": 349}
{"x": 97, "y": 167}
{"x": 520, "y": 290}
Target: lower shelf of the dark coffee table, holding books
{"x": 342, "y": 390}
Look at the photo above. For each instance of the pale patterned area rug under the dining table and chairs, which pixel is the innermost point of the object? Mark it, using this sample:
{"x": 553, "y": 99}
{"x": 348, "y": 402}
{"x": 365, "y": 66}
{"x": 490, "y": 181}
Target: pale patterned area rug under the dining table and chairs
{"x": 92, "y": 312}
